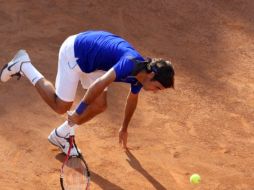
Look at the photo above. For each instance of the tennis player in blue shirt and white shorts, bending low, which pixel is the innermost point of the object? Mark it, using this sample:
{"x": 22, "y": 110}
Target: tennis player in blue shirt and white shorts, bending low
{"x": 96, "y": 59}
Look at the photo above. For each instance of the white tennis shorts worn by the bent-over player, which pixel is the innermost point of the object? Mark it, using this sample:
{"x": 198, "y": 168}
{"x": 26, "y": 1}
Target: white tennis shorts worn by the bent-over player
{"x": 69, "y": 73}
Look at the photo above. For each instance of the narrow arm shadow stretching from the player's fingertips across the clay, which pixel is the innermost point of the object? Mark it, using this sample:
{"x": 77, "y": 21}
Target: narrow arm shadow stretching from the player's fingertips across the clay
{"x": 134, "y": 163}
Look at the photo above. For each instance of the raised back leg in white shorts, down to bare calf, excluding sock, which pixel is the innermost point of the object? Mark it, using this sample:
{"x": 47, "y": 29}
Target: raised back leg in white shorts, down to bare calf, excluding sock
{"x": 60, "y": 98}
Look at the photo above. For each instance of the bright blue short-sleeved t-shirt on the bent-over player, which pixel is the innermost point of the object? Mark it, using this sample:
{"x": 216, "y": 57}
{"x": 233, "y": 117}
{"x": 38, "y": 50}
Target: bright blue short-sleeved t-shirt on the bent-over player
{"x": 100, "y": 50}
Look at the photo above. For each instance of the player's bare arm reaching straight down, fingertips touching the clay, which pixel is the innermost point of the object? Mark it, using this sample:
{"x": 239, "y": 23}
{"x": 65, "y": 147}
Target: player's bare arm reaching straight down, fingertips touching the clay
{"x": 130, "y": 107}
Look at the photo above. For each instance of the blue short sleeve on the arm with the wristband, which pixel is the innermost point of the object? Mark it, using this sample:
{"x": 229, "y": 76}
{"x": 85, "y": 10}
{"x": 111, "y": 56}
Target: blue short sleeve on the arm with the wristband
{"x": 123, "y": 68}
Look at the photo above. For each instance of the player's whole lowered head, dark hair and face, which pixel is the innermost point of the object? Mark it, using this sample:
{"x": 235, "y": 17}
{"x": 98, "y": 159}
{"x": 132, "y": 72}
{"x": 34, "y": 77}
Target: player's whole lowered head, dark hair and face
{"x": 158, "y": 75}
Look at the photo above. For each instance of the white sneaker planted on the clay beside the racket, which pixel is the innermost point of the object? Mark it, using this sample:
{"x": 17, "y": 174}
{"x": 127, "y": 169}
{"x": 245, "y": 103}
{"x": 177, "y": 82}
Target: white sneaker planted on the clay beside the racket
{"x": 62, "y": 143}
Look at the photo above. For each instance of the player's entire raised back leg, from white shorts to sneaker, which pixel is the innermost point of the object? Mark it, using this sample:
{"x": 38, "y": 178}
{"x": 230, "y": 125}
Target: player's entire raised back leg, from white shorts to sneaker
{"x": 21, "y": 64}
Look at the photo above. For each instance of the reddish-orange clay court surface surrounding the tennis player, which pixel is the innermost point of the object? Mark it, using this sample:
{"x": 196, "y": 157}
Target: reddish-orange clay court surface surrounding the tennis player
{"x": 204, "y": 126}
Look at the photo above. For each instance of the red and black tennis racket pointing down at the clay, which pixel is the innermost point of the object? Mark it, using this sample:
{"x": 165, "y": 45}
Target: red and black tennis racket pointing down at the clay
{"x": 75, "y": 174}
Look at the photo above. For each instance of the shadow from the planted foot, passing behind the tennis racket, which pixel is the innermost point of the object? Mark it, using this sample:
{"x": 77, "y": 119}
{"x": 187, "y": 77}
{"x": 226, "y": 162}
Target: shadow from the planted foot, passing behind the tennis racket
{"x": 102, "y": 182}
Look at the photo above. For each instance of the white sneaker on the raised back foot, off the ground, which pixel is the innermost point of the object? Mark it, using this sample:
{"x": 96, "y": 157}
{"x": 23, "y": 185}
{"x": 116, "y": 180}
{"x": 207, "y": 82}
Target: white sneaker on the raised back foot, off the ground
{"x": 13, "y": 68}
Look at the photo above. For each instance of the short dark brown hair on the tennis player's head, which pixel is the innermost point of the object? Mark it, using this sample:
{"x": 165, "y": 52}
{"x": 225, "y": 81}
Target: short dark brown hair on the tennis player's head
{"x": 164, "y": 71}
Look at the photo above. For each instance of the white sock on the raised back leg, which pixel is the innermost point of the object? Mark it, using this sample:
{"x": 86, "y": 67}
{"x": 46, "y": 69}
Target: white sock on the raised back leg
{"x": 31, "y": 73}
